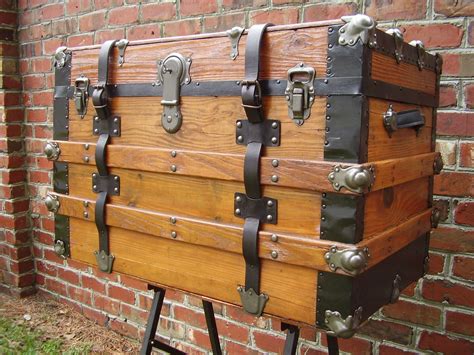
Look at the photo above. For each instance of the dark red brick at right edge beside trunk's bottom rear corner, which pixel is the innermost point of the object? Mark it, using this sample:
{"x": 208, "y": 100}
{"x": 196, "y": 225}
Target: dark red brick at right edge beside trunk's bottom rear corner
{"x": 447, "y": 291}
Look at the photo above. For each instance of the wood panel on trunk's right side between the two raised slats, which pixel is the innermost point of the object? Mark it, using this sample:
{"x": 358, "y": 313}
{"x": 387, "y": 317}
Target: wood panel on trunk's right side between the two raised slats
{"x": 389, "y": 207}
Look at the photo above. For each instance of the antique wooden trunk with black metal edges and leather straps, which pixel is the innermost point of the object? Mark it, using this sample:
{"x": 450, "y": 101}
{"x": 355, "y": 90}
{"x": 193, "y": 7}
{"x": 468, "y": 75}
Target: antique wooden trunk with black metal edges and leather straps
{"x": 287, "y": 169}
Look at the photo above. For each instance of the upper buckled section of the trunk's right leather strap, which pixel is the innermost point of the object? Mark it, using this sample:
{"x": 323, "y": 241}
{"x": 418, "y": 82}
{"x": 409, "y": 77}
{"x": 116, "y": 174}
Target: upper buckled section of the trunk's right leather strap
{"x": 251, "y": 90}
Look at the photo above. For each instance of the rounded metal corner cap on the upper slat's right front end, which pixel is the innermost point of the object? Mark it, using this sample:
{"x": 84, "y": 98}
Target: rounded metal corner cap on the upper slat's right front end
{"x": 354, "y": 178}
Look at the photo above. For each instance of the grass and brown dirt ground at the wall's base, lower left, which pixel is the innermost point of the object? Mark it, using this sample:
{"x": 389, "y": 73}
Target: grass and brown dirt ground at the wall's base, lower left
{"x": 39, "y": 324}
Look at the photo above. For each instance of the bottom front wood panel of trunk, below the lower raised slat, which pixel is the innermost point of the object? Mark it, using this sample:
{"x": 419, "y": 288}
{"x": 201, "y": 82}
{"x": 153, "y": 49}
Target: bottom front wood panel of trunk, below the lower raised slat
{"x": 200, "y": 270}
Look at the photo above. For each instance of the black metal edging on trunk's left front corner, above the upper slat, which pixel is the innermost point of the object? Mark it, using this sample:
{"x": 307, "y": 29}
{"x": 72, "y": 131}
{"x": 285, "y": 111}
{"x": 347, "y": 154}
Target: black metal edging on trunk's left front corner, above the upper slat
{"x": 62, "y": 80}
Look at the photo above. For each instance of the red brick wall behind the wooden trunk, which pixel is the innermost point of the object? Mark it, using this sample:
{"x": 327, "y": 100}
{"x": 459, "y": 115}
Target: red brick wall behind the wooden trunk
{"x": 435, "y": 314}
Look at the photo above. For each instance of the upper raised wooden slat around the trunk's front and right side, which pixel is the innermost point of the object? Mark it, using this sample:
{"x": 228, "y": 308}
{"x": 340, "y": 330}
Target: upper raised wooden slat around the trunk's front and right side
{"x": 301, "y": 174}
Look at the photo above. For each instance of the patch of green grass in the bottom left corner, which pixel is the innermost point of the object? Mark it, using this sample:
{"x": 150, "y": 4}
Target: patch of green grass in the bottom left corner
{"x": 18, "y": 338}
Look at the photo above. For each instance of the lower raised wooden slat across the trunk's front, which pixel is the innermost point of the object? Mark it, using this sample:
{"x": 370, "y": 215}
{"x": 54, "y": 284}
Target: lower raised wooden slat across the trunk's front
{"x": 291, "y": 249}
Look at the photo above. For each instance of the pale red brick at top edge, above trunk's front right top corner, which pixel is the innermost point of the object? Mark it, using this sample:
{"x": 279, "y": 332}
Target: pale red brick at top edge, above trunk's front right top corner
{"x": 394, "y": 10}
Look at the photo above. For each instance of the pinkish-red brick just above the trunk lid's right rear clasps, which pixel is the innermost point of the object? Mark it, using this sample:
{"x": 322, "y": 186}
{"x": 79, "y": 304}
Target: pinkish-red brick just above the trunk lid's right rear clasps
{"x": 437, "y": 35}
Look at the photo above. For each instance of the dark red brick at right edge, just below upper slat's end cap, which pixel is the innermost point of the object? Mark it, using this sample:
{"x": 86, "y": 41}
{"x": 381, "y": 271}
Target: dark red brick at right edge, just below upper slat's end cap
{"x": 454, "y": 184}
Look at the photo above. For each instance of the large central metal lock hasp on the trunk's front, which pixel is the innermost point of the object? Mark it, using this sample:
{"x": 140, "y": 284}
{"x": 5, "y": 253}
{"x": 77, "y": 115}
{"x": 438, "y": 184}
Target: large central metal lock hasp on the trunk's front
{"x": 173, "y": 72}
